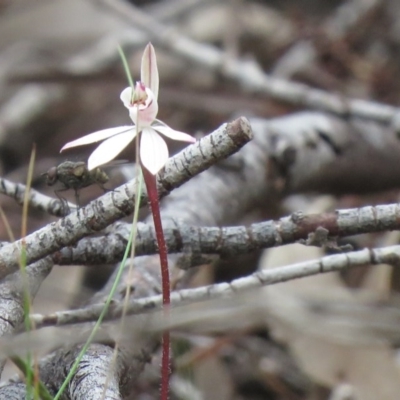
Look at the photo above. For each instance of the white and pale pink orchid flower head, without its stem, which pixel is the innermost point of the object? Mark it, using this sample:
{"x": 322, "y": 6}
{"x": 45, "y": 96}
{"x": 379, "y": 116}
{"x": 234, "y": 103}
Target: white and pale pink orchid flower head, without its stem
{"x": 143, "y": 108}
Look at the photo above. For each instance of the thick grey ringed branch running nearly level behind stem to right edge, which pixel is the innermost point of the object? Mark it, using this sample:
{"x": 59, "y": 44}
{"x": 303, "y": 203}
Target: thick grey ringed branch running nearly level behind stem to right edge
{"x": 313, "y": 229}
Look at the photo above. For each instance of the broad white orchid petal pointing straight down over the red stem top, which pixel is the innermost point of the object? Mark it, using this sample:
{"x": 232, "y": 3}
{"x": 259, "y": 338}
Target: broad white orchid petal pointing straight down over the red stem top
{"x": 153, "y": 150}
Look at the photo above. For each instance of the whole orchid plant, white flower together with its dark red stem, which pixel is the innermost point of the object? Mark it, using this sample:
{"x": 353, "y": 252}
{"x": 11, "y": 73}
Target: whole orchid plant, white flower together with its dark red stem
{"x": 141, "y": 101}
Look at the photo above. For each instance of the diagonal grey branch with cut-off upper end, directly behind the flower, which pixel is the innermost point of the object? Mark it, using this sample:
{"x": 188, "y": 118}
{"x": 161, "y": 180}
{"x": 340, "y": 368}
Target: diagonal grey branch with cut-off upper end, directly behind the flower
{"x": 114, "y": 205}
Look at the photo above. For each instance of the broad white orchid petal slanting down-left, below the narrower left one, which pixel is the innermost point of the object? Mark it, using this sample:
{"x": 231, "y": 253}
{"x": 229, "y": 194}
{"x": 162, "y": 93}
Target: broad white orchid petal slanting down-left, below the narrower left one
{"x": 110, "y": 148}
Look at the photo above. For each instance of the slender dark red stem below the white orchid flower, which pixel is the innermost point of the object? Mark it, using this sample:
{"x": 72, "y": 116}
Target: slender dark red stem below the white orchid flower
{"x": 152, "y": 193}
